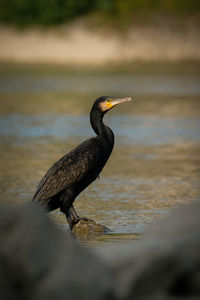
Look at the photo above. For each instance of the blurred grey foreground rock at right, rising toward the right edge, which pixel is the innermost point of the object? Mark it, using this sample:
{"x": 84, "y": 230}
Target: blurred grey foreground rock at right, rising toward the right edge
{"x": 165, "y": 264}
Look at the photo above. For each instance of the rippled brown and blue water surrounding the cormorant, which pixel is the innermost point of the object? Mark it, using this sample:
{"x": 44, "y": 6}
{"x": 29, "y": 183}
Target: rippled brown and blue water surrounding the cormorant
{"x": 155, "y": 163}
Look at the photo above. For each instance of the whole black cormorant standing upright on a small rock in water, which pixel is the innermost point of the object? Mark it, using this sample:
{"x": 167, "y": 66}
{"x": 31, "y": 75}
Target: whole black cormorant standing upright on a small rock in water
{"x": 70, "y": 175}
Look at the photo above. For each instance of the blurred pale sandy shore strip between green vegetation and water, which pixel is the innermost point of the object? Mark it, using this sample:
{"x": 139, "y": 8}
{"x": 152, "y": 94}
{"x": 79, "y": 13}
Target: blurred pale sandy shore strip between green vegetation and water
{"x": 77, "y": 44}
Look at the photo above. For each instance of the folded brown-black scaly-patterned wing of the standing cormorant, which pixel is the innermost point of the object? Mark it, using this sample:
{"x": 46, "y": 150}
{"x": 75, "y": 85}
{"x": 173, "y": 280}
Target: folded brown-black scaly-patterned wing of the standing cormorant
{"x": 69, "y": 169}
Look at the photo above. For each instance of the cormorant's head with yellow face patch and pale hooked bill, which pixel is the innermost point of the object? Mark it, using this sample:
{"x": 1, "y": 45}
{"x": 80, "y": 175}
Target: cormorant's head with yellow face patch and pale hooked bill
{"x": 105, "y": 103}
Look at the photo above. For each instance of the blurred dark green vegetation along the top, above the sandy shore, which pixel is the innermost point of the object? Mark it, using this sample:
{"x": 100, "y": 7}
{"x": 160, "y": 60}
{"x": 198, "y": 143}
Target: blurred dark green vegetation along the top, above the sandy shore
{"x": 54, "y": 12}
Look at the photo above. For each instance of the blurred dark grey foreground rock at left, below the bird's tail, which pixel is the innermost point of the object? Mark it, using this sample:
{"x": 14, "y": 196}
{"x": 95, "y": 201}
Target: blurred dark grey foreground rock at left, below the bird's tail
{"x": 38, "y": 261}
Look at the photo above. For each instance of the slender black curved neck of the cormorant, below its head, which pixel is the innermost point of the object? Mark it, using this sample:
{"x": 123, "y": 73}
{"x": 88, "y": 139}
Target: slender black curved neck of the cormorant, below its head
{"x": 102, "y": 131}
